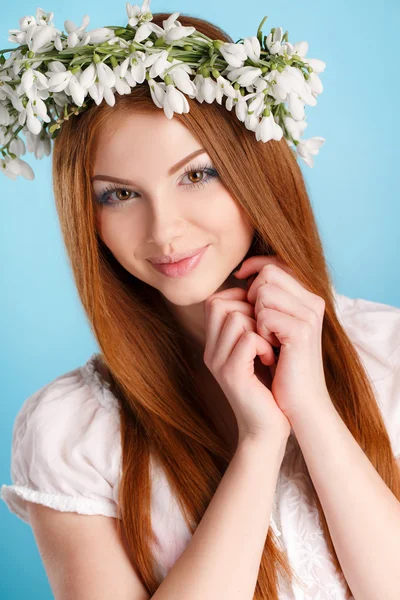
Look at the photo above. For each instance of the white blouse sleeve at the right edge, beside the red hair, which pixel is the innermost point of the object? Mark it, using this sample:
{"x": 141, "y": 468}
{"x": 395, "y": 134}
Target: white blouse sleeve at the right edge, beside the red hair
{"x": 374, "y": 329}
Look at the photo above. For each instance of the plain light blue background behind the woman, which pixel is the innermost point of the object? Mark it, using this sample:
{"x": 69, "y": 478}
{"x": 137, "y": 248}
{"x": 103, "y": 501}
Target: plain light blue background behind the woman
{"x": 353, "y": 188}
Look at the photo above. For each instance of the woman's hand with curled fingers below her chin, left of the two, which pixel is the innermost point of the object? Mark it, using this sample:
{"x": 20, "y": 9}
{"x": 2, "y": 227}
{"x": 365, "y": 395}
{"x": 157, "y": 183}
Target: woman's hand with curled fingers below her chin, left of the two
{"x": 232, "y": 344}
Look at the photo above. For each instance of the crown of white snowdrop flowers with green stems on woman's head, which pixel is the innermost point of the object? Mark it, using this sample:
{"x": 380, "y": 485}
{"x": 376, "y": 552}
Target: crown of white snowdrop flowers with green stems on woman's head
{"x": 49, "y": 77}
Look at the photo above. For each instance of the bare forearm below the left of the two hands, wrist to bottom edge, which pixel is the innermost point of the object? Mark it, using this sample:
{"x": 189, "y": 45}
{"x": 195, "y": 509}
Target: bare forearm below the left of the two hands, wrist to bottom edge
{"x": 222, "y": 560}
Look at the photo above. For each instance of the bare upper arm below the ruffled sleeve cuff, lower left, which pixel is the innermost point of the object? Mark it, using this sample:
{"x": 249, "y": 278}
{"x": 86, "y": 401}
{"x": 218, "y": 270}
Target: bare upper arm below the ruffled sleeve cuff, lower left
{"x": 83, "y": 556}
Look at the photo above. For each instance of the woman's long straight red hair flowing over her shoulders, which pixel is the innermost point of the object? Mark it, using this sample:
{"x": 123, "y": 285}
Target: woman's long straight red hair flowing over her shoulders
{"x": 145, "y": 350}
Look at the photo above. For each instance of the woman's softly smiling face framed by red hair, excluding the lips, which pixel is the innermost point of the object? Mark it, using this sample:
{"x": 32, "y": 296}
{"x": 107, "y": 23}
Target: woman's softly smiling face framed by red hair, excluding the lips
{"x": 162, "y": 210}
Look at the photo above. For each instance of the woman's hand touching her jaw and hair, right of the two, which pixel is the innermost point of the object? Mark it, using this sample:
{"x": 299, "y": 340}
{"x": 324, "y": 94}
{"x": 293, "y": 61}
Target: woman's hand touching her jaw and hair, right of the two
{"x": 290, "y": 317}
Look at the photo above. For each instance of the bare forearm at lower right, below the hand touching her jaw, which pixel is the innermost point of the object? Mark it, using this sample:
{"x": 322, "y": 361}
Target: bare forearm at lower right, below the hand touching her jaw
{"x": 362, "y": 513}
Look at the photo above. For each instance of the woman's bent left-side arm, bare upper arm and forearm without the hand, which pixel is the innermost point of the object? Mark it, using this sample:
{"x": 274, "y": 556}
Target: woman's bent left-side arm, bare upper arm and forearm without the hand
{"x": 85, "y": 560}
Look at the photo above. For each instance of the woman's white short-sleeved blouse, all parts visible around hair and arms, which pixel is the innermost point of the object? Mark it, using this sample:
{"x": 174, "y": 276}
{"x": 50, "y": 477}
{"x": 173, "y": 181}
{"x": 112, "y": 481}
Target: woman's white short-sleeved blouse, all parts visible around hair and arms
{"x": 66, "y": 454}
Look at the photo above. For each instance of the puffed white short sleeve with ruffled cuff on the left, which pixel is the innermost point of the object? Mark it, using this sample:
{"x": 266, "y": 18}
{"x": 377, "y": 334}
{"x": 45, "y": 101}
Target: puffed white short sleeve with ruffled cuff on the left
{"x": 65, "y": 450}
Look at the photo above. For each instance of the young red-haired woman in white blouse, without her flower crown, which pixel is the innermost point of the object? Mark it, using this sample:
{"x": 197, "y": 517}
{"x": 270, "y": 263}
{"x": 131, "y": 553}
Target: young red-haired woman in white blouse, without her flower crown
{"x": 237, "y": 434}
